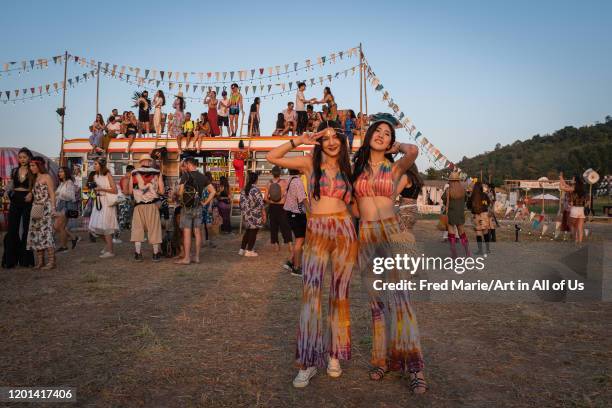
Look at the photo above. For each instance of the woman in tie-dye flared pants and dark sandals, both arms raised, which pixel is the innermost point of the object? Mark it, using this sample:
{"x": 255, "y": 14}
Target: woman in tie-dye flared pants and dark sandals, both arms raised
{"x": 395, "y": 344}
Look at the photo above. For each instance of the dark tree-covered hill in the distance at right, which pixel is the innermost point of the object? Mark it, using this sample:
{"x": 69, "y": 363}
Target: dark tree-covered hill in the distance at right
{"x": 571, "y": 150}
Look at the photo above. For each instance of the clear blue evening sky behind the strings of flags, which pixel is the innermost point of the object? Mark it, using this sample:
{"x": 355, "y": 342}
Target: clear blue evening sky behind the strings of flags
{"x": 468, "y": 74}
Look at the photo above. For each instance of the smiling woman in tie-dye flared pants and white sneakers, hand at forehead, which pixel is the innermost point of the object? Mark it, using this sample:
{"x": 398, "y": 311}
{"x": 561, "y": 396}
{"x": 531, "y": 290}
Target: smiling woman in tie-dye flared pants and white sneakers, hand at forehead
{"x": 330, "y": 238}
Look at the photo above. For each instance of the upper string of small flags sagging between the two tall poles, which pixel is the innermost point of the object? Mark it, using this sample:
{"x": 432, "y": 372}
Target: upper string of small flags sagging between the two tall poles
{"x": 217, "y": 77}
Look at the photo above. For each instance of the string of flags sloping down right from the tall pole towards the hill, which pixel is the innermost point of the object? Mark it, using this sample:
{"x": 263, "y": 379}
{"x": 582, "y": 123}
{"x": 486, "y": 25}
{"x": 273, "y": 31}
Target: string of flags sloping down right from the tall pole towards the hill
{"x": 435, "y": 156}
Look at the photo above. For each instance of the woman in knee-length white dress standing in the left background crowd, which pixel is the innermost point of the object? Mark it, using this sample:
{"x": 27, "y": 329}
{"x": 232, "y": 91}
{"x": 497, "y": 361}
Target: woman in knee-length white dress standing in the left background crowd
{"x": 103, "y": 220}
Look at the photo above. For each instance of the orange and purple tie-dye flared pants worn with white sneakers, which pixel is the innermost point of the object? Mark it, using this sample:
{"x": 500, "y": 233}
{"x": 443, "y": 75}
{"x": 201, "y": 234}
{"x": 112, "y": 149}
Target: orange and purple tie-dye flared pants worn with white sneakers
{"x": 330, "y": 238}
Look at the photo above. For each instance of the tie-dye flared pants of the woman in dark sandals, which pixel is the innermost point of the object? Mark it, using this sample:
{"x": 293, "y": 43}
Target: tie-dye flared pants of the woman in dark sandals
{"x": 395, "y": 338}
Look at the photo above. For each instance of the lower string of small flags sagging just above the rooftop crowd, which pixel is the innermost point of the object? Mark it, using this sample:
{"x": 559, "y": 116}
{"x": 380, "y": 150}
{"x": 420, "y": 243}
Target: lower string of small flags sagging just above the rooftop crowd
{"x": 260, "y": 90}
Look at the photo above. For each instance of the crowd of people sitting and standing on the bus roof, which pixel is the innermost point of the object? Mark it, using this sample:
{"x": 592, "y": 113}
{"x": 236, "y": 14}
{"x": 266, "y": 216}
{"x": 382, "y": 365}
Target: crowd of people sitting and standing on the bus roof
{"x": 299, "y": 117}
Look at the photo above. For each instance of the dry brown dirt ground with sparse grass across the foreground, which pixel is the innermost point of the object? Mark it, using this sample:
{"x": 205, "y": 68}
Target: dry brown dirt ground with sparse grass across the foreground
{"x": 222, "y": 333}
